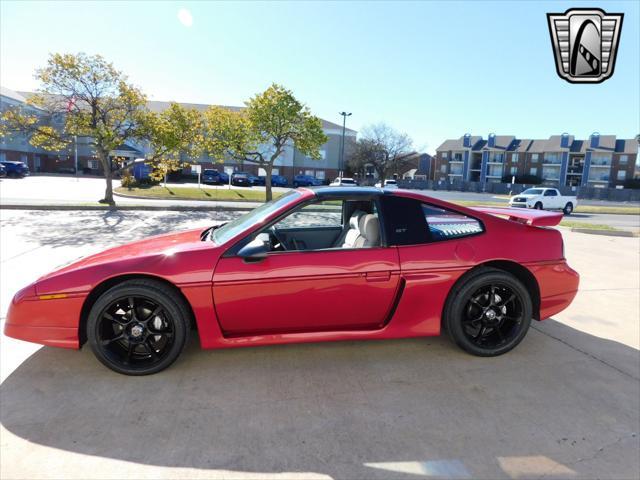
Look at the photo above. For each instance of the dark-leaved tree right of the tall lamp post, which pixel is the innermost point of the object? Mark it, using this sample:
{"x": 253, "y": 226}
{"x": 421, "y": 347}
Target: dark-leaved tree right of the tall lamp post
{"x": 385, "y": 149}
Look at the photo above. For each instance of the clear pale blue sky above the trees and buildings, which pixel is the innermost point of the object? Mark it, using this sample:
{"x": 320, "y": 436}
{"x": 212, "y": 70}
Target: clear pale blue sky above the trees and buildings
{"x": 432, "y": 69}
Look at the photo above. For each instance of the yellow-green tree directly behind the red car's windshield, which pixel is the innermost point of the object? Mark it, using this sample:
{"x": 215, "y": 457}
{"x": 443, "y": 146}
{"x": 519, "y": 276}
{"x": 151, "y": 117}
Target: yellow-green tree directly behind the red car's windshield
{"x": 259, "y": 134}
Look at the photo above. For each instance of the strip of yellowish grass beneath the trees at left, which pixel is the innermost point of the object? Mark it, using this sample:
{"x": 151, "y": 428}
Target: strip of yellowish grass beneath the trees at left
{"x": 193, "y": 193}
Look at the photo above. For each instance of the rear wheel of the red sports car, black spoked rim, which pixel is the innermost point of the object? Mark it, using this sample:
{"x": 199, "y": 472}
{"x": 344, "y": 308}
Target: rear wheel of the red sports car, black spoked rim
{"x": 488, "y": 335}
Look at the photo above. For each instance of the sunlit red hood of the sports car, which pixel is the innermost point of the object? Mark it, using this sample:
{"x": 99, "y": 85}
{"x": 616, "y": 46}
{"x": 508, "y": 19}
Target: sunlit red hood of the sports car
{"x": 185, "y": 240}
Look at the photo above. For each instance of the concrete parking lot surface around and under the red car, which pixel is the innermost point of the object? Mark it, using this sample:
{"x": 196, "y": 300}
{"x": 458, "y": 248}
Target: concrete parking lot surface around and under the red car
{"x": 564, "y": 404}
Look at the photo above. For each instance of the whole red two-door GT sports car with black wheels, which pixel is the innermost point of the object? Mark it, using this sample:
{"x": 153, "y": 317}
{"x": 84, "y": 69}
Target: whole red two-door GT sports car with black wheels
{"x": 314, "y": 265}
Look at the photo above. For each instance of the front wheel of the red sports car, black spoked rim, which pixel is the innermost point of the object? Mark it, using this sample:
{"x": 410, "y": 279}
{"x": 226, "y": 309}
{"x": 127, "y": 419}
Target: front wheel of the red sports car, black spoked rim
{"x": 130, "y": 352}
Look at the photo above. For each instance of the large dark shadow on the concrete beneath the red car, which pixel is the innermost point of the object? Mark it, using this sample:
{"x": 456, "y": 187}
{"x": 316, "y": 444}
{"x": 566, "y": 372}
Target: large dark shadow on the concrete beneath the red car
{"x": 378, "y": 409}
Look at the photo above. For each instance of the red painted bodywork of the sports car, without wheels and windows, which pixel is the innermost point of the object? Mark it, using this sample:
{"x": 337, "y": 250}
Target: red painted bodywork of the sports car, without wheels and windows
{"x": 376, "y": 293}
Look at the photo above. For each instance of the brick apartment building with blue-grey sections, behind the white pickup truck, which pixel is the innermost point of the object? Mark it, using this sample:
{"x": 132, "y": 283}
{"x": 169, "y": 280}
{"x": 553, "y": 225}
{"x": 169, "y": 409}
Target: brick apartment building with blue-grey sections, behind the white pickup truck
{"x": 560, "y": 160}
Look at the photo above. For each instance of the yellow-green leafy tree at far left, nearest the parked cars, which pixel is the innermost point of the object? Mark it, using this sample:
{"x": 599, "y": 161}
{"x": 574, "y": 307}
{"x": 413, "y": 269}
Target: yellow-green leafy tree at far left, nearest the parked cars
{"x": 91, "y": 98}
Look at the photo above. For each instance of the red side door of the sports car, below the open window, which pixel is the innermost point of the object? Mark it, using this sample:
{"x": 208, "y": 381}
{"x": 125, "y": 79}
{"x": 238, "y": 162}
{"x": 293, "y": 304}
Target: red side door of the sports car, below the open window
{"x": 315, "y": 289}
